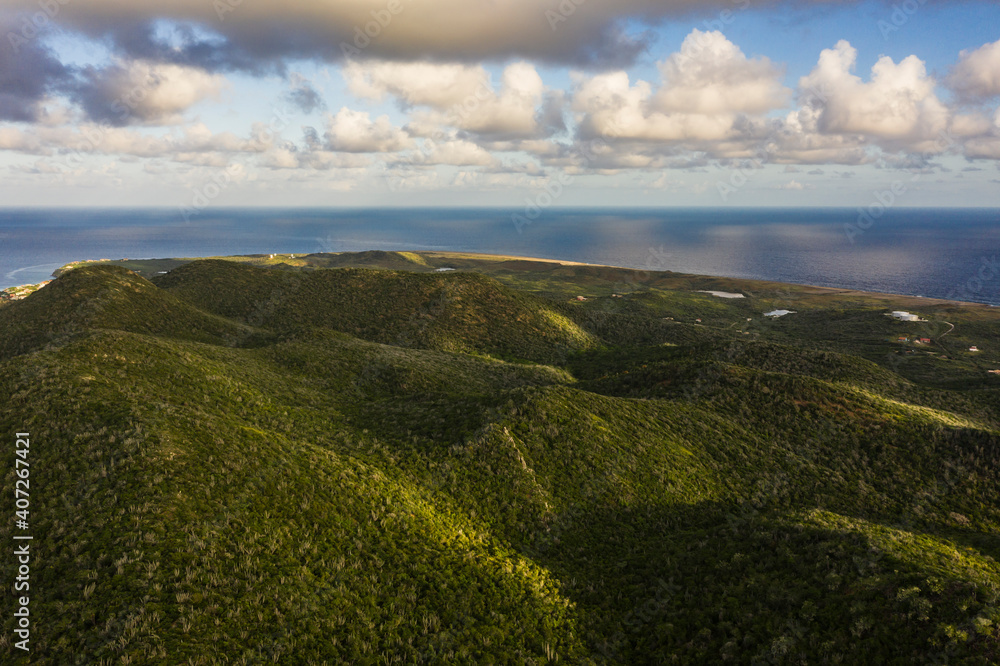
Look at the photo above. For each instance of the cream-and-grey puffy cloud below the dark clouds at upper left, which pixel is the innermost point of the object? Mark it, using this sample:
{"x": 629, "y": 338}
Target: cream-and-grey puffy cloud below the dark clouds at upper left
{"x": 140, "y": 92}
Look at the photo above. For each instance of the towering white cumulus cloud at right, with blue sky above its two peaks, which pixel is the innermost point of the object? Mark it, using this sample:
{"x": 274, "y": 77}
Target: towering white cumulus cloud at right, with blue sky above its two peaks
{"x": 897, "y": 108}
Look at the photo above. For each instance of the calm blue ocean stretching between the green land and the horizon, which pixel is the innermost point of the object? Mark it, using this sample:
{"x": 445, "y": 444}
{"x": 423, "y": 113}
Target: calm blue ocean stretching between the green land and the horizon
{"x": 943, "y": 253}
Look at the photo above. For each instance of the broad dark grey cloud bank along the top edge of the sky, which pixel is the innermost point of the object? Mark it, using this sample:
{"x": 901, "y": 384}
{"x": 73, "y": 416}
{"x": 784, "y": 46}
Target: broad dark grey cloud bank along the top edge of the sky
{"x": 259, "y": 37}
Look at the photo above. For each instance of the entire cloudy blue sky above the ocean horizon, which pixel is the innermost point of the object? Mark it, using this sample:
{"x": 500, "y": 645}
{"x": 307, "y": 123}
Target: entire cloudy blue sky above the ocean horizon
{"x": 512, "y": 103}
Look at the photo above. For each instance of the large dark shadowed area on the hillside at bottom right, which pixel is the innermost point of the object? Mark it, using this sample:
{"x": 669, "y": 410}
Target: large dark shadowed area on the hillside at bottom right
{"x": 703, "y": 583}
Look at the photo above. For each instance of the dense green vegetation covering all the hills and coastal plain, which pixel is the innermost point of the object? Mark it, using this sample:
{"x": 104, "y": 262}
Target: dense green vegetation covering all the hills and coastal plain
{"x": 322, "y": 460}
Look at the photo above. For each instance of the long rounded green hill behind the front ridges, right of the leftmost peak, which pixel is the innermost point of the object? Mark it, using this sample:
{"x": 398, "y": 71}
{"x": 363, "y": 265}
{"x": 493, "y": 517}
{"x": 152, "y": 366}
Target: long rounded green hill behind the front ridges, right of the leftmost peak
{"x": 450, "y": 312}
